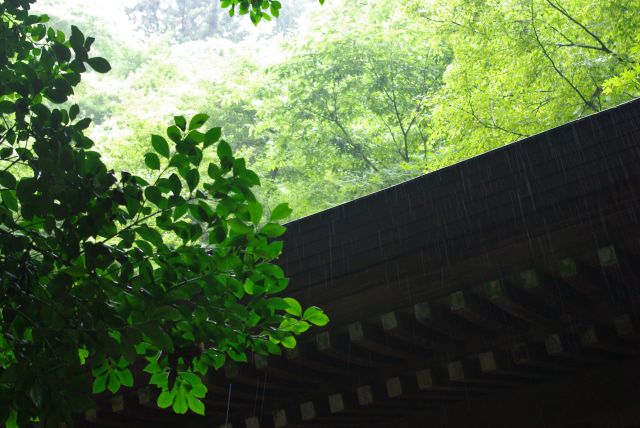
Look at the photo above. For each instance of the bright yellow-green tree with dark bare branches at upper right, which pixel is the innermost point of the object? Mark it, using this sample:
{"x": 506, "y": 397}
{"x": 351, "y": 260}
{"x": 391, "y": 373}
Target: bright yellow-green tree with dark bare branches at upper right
{"x": 523, "y": 66}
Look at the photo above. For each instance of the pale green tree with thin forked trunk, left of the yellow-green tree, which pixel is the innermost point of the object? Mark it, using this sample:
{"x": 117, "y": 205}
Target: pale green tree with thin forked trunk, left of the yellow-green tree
{"x": 346, "y": 112}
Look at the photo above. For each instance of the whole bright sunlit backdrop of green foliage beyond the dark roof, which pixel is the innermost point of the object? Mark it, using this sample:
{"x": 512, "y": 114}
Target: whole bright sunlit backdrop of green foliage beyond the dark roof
{"x": 330, "y": 103}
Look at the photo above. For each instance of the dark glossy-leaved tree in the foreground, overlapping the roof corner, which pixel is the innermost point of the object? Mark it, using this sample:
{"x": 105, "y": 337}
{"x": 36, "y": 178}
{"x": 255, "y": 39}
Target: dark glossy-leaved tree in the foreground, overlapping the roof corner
{"x": 100, "y": 269}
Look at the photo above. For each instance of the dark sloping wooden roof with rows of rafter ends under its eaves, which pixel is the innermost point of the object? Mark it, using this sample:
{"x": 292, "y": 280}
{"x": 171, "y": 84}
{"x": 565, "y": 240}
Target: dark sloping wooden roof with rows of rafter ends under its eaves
{"x": 510, "y": 279}
